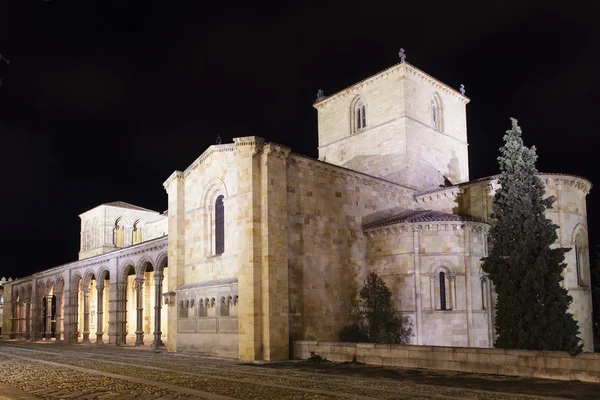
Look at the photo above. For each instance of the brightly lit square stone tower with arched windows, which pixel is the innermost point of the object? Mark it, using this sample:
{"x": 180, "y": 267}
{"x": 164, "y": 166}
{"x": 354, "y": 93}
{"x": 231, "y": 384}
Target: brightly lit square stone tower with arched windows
{"x": 401, "y": 125}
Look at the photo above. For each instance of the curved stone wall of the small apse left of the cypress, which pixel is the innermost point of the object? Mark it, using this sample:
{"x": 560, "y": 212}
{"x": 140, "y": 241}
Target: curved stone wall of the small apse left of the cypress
{"x": 410, "y": 256}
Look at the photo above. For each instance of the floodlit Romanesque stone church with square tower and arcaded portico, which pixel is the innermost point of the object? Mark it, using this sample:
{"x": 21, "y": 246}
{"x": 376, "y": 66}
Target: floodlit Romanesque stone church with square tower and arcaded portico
{"x": 261, "y": 247}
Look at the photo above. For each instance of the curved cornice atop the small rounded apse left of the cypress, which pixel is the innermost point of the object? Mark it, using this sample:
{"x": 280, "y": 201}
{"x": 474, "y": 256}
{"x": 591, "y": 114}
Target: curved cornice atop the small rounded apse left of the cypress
{"x": 400, "y": 228}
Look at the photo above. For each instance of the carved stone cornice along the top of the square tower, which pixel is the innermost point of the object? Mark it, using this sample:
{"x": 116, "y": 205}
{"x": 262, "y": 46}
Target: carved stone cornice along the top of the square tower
{"x": 403, "y": 68}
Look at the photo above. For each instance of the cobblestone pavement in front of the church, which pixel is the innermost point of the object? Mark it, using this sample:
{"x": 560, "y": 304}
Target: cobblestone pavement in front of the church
{"x": 60, "y": 371}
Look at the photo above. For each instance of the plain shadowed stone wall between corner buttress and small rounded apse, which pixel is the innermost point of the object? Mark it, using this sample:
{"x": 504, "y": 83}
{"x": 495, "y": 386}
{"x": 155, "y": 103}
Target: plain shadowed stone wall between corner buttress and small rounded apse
{"x": 326, "y": 207}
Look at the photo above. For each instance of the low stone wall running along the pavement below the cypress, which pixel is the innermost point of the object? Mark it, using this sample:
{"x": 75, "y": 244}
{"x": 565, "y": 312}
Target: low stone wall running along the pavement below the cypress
{"x": 526, "y": 363}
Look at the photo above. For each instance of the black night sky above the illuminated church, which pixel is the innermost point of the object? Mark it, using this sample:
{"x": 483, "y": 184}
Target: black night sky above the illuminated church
{"x": 102, "y": 100}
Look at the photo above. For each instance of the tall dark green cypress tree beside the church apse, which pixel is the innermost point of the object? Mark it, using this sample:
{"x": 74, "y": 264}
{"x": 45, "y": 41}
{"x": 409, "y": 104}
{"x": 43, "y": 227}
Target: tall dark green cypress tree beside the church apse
{"x": 531, "y": 307}
